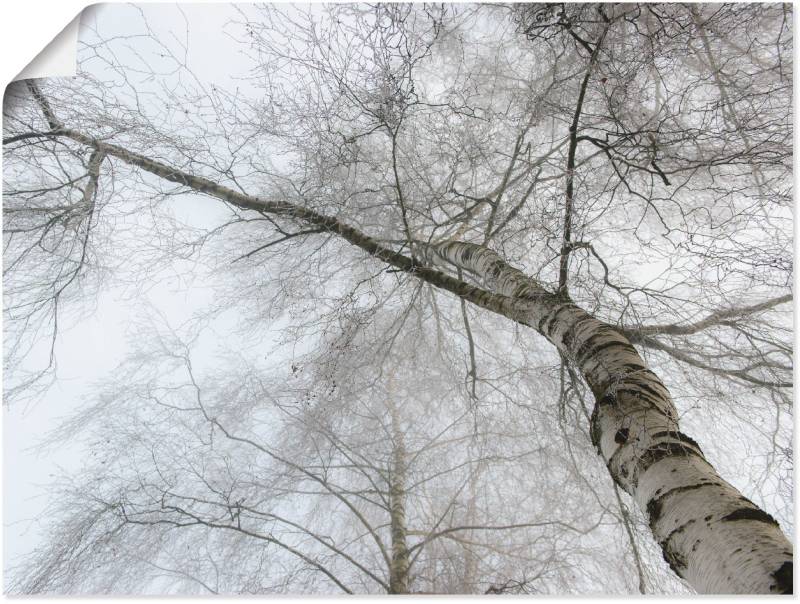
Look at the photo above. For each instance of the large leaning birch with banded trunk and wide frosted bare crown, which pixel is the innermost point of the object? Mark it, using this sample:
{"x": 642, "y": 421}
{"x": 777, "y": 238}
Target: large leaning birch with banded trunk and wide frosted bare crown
{"x": 610, "y": 181}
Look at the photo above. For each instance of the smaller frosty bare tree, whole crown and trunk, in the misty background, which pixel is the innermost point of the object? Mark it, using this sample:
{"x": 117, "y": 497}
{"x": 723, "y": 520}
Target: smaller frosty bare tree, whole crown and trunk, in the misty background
{"x": 330, "y": 488}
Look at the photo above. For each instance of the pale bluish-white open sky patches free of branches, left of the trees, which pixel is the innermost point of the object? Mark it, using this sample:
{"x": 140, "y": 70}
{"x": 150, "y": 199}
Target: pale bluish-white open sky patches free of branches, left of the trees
{"x": 89, "y": 349}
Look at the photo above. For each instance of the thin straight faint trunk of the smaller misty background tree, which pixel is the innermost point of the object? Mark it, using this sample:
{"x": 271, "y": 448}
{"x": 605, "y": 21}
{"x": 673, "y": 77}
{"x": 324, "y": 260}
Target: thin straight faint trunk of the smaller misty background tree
{"x": 398, "y": 572}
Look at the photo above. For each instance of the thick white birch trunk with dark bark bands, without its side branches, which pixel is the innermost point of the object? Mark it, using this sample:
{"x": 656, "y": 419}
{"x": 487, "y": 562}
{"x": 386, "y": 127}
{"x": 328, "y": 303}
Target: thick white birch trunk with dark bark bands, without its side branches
{"x": 710, "y": 534}
